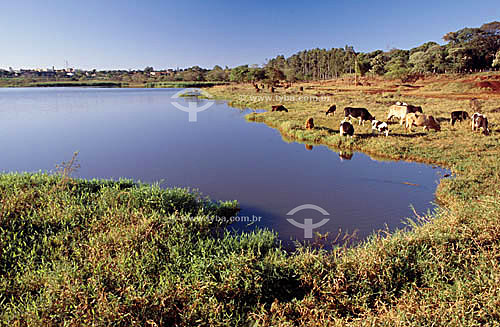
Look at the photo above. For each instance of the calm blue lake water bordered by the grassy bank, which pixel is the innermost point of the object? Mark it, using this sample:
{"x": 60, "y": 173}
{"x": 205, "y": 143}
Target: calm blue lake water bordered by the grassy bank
{"x": 139, "y": 134}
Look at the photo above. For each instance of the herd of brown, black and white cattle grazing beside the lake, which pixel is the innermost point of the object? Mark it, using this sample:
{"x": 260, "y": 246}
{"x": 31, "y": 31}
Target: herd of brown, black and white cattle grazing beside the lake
{"x": 408, "y": 114}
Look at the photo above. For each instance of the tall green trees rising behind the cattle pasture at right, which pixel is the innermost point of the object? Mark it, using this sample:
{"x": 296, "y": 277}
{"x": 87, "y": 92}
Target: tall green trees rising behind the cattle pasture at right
{"x": 466, "y": 50}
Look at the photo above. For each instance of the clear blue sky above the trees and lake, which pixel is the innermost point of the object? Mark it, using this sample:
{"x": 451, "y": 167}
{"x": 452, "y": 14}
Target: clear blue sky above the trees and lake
{"x": 109, "y": 34}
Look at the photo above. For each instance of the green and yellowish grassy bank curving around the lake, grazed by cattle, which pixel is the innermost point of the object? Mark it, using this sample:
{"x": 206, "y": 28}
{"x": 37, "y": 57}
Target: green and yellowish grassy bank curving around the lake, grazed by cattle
{"x": 79, "y": 252}
